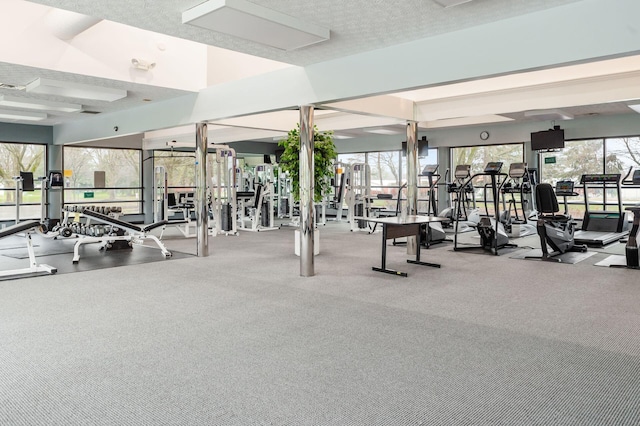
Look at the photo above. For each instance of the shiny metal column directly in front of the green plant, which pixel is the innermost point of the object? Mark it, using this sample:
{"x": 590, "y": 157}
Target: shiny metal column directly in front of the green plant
{"x": 306, "y": 192}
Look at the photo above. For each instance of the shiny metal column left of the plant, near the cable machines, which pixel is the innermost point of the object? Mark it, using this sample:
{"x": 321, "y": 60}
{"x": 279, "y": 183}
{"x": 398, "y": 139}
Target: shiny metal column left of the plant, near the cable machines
{"x": 202, "y": 213}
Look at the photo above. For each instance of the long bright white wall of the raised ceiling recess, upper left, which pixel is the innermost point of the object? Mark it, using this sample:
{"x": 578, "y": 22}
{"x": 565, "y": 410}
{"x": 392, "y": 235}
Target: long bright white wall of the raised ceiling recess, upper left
{"x": 104, "y": 50}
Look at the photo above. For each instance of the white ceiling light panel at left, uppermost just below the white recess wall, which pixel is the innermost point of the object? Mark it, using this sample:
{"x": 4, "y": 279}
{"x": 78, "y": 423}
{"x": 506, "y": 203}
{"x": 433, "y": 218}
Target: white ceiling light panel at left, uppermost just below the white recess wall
{"x": 66, "y": 89}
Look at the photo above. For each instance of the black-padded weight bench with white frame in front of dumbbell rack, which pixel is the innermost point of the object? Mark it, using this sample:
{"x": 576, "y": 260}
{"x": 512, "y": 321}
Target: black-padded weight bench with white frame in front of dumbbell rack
{"x": 136, "y": 234}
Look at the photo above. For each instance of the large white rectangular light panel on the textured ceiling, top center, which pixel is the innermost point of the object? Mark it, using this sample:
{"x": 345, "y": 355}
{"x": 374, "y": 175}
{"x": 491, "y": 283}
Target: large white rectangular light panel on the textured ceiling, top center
{"x": 250, "y": 21}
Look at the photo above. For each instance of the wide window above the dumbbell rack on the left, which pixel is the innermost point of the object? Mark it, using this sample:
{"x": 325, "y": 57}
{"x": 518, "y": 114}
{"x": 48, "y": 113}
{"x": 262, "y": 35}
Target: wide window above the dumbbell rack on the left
{"x": 122, "y": 178}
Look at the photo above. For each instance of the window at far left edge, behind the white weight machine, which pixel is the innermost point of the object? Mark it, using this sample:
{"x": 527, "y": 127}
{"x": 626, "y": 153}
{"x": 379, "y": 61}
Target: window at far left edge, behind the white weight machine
{"x": 14, "y": 158}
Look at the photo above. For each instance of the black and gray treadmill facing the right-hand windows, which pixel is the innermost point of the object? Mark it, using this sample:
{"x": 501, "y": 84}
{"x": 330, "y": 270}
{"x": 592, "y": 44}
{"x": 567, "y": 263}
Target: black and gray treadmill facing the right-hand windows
{"x": 600, "y": 228}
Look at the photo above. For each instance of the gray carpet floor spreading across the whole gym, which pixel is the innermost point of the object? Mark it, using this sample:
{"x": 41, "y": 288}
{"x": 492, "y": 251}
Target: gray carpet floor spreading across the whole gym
{"x": 239, "y": 338}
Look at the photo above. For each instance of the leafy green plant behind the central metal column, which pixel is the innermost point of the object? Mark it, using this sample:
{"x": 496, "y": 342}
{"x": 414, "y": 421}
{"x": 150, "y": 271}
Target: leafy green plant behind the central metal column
{"x": 324, "y": 152}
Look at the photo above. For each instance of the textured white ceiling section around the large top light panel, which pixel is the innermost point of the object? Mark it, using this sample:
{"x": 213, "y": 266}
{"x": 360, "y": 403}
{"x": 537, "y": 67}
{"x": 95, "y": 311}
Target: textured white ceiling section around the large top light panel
{"x": 356, "y": 25}
